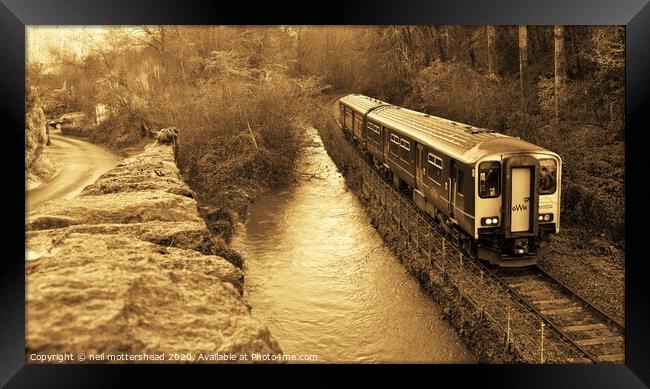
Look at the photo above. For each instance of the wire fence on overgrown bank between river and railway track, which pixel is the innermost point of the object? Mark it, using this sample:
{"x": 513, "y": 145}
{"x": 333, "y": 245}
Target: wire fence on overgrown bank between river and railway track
{"x": 425, "y": 249}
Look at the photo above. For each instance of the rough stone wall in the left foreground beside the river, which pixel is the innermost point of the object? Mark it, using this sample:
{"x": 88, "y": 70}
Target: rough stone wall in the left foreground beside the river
{"x": 129, "y": 267}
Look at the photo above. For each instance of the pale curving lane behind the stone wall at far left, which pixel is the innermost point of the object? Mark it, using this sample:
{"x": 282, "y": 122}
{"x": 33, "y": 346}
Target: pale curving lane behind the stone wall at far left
{"x": 81, "y": 163}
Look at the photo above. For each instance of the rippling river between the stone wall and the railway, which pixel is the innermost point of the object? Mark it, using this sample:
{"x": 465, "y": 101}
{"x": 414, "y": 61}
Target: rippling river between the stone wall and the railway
{"x": 318, "y": 274}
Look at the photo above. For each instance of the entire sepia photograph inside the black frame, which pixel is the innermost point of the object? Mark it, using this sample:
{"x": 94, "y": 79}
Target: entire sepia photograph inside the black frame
{"x": 300, "y": 194}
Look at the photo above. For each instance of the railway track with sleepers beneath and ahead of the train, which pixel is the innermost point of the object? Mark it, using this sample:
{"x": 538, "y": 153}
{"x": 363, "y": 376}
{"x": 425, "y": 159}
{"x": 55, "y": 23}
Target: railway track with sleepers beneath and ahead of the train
{"x": 593, "y": 333}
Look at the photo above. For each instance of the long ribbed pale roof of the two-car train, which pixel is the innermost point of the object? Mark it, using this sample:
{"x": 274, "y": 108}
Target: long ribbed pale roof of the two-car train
{"x": 460, "y": 141}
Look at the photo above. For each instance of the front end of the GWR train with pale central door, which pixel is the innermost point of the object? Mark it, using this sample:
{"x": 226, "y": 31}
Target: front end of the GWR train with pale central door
{"x": 517, "y": 202}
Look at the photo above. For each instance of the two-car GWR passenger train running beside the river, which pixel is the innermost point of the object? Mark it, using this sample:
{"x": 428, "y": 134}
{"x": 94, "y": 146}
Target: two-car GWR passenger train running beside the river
{"x": 496, "y": 195}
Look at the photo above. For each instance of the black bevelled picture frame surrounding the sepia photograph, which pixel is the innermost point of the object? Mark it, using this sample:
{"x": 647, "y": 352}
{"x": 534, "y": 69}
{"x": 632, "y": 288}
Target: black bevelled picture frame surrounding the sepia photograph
{"x": 16, "y": 14}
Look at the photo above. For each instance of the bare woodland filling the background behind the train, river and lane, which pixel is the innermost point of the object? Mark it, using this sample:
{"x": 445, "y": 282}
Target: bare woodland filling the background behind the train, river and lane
{"x": 241, "y": 95}
